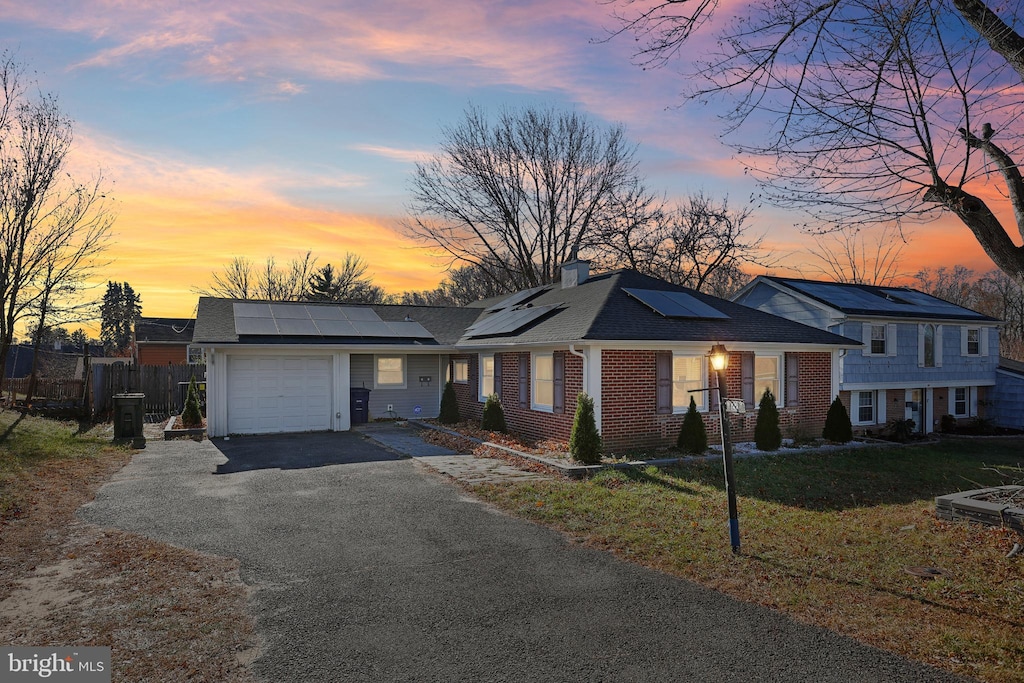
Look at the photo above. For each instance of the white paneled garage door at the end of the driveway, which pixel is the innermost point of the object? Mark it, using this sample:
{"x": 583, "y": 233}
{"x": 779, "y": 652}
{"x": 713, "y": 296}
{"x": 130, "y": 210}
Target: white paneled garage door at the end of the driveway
{"x": 268, "y": 395}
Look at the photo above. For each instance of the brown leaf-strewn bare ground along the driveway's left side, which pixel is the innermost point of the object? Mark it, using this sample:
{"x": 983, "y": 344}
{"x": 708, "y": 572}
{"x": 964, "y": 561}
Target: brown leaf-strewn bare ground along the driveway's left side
{"x": 167, "y": 614}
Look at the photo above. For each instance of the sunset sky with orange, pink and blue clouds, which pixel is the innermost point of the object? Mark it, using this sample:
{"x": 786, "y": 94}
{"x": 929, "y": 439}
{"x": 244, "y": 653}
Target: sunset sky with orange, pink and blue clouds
{"x": 257, "y": 129}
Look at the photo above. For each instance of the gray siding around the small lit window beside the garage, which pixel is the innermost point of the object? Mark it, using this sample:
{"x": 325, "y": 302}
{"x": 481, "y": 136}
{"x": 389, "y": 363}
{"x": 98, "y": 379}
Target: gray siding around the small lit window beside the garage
{"x": 426, "y": 396}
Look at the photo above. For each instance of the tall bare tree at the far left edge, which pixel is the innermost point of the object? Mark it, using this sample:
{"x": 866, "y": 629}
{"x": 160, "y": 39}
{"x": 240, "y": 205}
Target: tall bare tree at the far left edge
{"x": 52, "y": 228}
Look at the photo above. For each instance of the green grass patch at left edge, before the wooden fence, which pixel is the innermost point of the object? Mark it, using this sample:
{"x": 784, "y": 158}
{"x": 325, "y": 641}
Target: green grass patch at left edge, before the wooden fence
{"x": 28, "y": 443}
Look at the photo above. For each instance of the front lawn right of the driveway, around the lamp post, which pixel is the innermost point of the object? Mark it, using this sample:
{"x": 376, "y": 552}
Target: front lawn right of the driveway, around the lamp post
{"x": 827, "y": 539}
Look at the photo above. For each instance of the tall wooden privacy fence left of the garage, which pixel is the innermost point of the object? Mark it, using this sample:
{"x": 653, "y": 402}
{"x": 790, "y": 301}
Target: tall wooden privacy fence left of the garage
{"x": 161, "y": 385}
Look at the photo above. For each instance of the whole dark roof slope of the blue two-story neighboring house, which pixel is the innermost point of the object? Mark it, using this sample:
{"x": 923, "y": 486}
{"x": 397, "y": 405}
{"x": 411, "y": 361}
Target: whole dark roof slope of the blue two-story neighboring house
{"x": 857, "y": 300}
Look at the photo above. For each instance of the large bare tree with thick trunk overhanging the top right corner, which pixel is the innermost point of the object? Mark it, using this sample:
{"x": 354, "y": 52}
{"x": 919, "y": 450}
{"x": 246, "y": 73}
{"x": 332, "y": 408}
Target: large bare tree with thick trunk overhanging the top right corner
{"x": 860, "y": 111}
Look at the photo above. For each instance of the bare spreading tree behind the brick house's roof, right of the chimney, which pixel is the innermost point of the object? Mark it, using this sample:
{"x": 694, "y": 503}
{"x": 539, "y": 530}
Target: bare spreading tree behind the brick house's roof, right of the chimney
{"x": 687, "y": 245}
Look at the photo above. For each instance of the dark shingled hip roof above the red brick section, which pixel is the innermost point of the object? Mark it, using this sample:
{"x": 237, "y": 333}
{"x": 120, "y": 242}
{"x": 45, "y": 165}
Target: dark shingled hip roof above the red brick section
{"x": 601, "y": 310}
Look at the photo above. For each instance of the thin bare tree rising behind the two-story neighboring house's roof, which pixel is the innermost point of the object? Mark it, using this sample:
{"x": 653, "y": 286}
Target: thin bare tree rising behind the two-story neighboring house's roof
{"x": 859, "y": 255}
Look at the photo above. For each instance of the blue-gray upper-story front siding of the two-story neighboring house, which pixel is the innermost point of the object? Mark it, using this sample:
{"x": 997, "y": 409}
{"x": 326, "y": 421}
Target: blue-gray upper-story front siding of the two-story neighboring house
{"x": 859, "y": 369}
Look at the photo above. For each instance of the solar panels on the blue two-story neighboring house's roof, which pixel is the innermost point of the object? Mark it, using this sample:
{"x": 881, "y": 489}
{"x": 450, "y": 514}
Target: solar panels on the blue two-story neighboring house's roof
{"x": 883, "y": 301}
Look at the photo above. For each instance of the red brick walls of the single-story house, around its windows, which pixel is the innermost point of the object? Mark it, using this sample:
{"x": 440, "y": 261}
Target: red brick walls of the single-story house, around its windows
{"x": 629, "y": 417}
